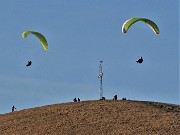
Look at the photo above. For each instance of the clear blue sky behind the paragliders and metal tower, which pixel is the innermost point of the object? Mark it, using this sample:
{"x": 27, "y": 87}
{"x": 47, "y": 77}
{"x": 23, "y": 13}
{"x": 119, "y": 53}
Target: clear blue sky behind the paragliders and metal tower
{"x": 81, "y": 33}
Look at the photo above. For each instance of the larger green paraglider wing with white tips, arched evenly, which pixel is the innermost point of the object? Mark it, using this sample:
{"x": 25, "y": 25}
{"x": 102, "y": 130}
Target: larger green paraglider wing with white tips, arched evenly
{"x": 127, "y": 24}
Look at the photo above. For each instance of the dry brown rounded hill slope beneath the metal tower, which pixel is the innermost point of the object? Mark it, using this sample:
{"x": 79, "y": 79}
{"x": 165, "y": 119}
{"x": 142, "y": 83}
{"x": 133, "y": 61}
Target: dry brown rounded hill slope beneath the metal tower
{"x": 94, "y": 118}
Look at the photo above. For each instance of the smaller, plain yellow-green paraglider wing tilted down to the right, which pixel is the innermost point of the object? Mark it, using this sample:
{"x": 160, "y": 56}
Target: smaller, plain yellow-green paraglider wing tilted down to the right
{"x": 41, "y": 38}
